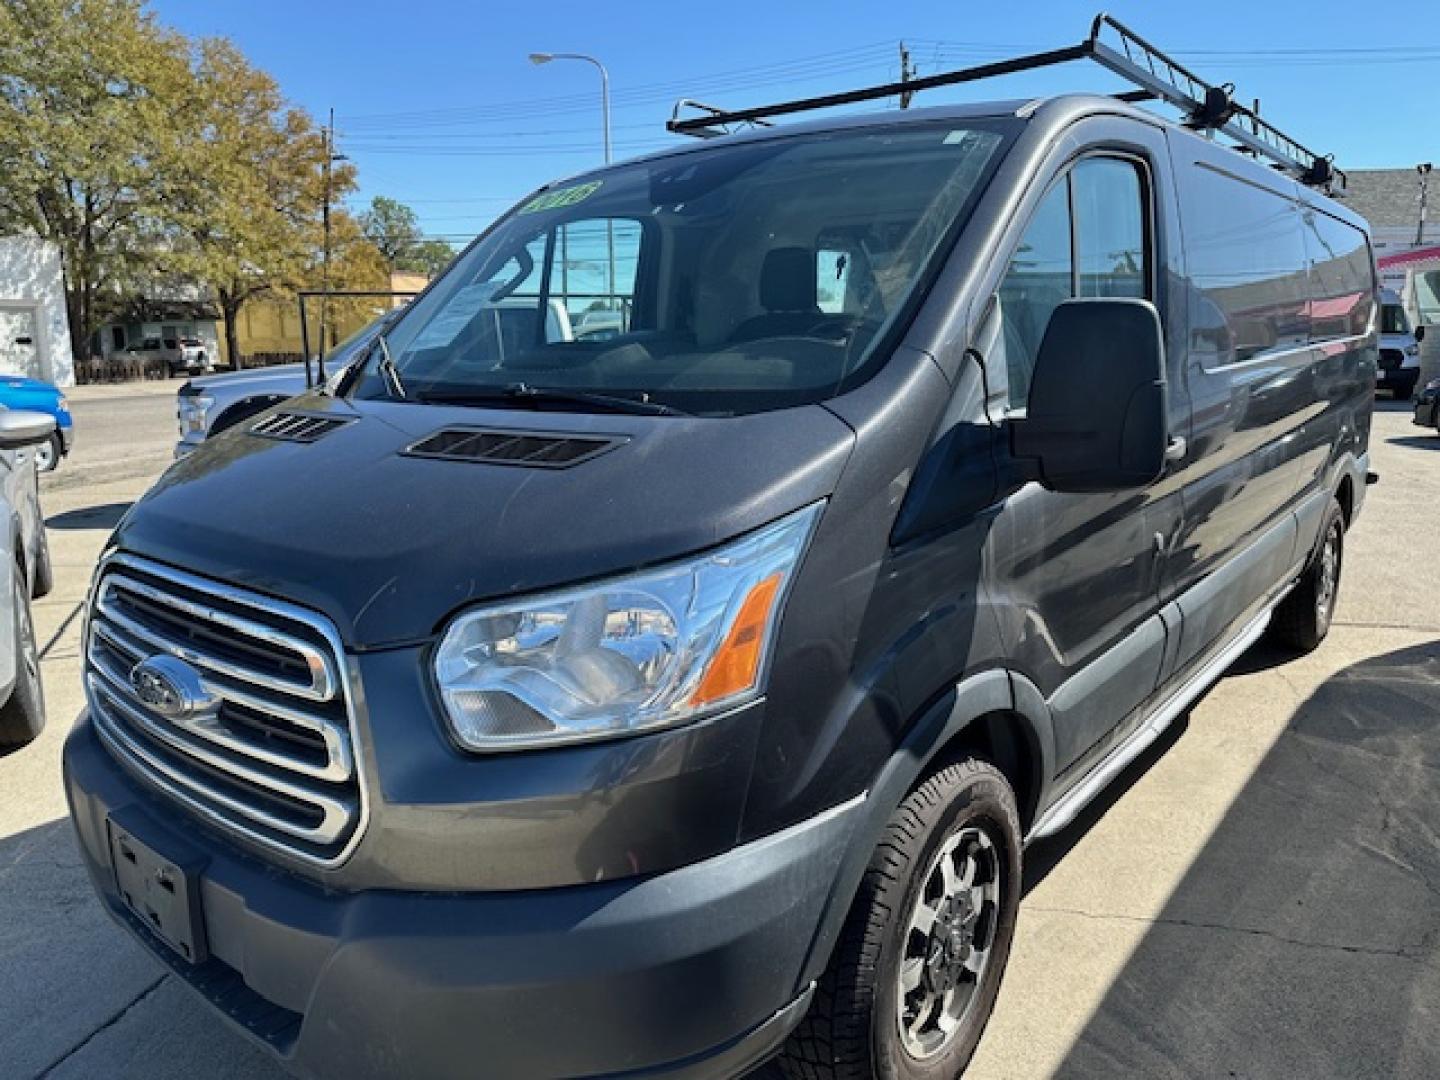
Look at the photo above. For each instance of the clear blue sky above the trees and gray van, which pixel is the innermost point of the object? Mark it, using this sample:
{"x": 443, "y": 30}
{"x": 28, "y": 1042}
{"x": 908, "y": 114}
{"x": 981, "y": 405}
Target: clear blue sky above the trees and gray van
{"x": 438, "y": 106}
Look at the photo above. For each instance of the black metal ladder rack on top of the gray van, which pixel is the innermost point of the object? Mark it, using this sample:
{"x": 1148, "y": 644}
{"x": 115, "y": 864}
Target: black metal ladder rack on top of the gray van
{"x": 1206, "y": 107}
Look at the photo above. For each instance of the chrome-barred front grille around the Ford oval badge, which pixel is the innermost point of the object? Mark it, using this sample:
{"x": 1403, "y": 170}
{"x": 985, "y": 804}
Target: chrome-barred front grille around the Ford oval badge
{"x": 270, "y": 754}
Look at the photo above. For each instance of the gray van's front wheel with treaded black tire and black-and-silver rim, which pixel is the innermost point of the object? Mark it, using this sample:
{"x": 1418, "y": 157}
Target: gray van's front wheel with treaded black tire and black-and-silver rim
{"x": 853, "y": 1030}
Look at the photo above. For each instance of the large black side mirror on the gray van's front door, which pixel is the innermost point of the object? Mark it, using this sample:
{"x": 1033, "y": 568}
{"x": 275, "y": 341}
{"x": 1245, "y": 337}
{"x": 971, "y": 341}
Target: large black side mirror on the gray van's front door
{"x": 1097, "y": 414}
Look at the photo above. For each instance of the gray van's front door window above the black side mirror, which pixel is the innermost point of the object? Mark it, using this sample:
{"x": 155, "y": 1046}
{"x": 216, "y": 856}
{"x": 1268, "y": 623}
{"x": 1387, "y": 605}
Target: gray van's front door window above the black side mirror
{"x": 1086, "y": 240}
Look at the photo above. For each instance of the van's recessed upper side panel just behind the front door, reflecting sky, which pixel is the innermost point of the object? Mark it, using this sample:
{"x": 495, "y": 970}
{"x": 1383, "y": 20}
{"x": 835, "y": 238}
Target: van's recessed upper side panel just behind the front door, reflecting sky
{"x": 1246, "y": 254}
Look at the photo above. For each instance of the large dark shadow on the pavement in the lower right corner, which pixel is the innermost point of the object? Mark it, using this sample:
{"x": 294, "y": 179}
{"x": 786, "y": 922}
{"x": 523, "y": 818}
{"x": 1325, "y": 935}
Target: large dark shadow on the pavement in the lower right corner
{"x": 1304, "y": 938}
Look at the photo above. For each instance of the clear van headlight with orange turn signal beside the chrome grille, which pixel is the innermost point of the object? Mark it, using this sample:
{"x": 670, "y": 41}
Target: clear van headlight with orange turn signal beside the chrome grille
{"x": 630, "y": 654}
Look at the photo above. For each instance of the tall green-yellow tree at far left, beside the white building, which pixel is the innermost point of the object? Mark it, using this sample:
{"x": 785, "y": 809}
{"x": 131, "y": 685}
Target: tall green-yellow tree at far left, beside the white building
{"x": 90, "y": 91}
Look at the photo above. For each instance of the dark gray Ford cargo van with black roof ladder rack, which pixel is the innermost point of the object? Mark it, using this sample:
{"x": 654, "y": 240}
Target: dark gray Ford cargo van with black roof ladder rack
{"x": 688, "y": 693}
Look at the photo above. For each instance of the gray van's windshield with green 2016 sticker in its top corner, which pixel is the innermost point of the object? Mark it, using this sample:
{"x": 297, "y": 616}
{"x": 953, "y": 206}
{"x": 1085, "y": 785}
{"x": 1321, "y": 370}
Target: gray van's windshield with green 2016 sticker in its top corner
{"x": 716, "y": 282}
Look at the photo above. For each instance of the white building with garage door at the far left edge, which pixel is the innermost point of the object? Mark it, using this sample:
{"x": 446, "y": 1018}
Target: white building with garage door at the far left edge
{"x": 35, "y": 333}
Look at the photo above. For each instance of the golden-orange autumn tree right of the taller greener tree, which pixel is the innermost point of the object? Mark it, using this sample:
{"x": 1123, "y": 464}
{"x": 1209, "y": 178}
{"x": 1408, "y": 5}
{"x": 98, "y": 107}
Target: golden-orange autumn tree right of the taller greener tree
{"x": 248, "y": 215}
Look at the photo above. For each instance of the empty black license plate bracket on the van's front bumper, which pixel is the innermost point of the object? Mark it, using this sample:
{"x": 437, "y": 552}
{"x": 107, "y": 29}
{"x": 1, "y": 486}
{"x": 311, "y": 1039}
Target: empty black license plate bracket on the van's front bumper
{"x": 163, "y": 894}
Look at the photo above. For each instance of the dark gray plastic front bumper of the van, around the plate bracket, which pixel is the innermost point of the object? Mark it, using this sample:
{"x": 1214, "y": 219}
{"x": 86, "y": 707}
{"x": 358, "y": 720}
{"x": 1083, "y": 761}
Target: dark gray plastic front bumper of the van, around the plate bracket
{"x": 692, "y": 973}
